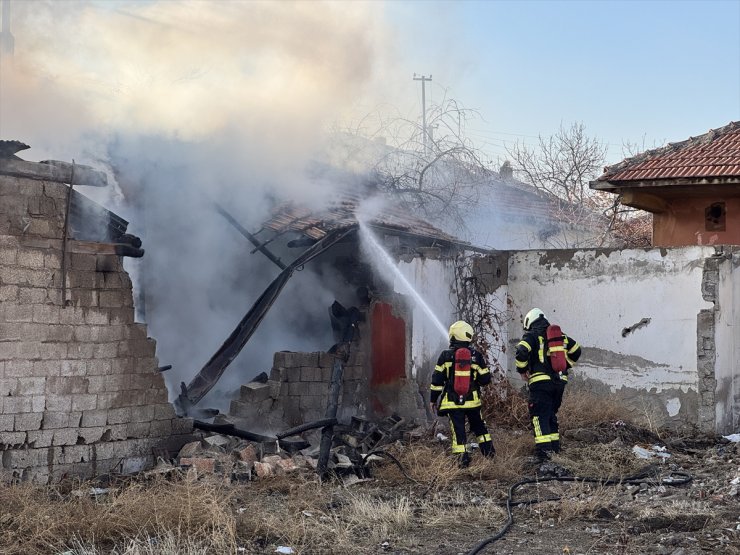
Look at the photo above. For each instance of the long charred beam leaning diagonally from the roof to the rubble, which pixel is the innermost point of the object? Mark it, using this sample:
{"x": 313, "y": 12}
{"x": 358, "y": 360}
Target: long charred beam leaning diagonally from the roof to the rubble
{"x": 207, "y": 377}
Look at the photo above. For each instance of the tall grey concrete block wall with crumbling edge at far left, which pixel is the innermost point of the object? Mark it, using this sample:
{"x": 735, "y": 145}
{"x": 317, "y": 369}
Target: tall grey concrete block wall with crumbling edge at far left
{"x": 80, "y": 389}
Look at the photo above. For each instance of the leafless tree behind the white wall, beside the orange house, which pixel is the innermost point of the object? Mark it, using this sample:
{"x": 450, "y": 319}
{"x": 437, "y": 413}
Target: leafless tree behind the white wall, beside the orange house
{"x": 561, "y": 166}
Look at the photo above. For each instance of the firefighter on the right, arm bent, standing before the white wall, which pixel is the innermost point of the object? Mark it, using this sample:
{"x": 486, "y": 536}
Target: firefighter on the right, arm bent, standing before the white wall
{"x": 534, "y": 362}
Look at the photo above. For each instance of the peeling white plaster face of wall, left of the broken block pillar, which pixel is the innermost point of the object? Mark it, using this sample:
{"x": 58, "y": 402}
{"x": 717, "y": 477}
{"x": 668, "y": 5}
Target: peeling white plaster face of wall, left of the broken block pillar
{"x": 636, "y": 312}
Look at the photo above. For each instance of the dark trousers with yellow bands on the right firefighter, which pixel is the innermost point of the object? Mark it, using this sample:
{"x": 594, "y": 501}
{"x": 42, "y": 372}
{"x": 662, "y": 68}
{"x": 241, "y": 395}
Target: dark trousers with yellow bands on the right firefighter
{"x": 544, "y": 400}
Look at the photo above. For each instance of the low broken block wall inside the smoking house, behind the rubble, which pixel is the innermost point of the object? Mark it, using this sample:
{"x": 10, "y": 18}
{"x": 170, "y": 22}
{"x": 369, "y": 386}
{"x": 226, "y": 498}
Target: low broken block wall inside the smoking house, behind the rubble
{"x": 297, "y": 391}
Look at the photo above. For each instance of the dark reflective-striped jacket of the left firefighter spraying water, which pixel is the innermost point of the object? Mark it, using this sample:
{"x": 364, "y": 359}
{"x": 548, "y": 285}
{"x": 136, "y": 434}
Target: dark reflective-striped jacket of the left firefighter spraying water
{"x": 443, "y": 379}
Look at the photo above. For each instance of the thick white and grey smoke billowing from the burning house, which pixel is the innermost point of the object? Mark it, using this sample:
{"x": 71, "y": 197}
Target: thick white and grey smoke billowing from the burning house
{"x": 188, "y": 103}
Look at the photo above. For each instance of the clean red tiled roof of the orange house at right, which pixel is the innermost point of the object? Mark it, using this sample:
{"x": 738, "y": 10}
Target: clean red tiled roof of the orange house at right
{"x": 714, "y": 154}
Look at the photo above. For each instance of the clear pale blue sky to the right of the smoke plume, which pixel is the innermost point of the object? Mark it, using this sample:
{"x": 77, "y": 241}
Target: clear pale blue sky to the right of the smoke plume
{"x": 637, "y": 71}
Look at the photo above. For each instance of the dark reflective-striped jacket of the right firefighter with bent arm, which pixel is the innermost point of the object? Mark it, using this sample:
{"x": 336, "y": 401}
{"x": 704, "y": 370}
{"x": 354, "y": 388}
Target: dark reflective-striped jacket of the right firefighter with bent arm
{"x": 532, "y": 356}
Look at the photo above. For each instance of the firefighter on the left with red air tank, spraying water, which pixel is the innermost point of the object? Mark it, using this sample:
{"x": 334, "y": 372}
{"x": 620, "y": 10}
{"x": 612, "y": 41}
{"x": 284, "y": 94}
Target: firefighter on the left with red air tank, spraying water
{"x": 460, "y": 373}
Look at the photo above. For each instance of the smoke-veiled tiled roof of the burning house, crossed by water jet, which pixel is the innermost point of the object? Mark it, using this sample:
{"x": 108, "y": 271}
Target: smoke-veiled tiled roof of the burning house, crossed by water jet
{"x": 340, "y": 214}
